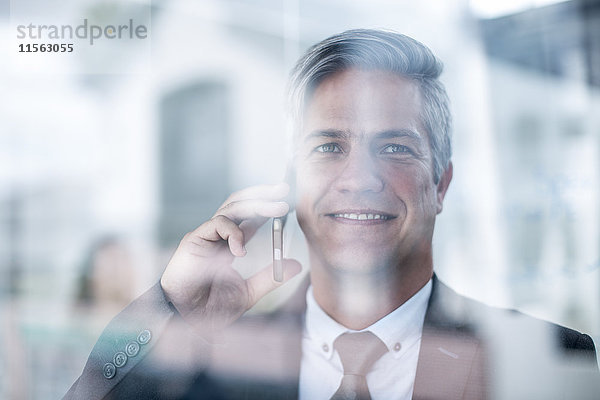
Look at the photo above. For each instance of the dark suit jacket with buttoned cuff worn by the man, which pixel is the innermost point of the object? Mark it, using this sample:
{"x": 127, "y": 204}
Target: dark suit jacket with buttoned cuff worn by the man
{"x": 468, "y": 351}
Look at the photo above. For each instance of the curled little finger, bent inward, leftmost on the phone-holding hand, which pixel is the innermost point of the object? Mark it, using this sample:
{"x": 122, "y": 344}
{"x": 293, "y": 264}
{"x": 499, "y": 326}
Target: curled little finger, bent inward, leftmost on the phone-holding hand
{"x": 221, "y": 228}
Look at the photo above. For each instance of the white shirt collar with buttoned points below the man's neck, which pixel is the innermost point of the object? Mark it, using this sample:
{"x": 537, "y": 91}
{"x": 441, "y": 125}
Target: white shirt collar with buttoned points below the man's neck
{"x": 399, "y": 330}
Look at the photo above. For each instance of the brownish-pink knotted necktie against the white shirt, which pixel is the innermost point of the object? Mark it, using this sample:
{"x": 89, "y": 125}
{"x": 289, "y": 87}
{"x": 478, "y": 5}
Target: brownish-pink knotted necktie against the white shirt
{"x": 358, "y": 352}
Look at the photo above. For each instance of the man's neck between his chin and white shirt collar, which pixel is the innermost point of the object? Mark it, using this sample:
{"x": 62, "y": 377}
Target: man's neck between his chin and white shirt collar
{"x": 356, "y": 300}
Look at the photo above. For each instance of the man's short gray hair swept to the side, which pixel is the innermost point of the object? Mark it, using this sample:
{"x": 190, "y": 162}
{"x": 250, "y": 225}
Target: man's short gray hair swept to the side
{"x": 382, "y": 50}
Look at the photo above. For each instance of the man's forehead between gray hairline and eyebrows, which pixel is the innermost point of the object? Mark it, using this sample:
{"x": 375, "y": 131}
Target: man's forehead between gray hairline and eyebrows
{"x": 361, "y": 102}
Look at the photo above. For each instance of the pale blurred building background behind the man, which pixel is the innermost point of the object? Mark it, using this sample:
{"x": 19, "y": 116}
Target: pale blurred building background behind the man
{"x": 109, "y": 155}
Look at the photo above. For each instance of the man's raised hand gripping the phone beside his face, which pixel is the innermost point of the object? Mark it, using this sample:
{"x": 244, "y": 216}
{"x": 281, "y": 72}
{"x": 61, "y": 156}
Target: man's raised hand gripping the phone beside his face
{"x": 199, "y": 279}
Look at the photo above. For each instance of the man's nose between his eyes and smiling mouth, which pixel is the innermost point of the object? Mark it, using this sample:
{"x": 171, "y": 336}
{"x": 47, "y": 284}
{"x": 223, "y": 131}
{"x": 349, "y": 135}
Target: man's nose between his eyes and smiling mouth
{"x": 359, "y": 173}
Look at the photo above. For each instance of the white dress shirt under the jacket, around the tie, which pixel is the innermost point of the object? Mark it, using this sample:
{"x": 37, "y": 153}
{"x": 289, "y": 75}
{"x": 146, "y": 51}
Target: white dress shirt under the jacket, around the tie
{"x": 391, "y": 377}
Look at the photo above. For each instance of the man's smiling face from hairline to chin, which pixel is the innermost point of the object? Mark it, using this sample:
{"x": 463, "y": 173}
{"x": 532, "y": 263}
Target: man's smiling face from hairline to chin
{"x": 366, "y": 198}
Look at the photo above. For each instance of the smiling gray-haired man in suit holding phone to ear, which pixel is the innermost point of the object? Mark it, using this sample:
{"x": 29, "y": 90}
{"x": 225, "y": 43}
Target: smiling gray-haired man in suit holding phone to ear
{"x": 371, "y": 169}
